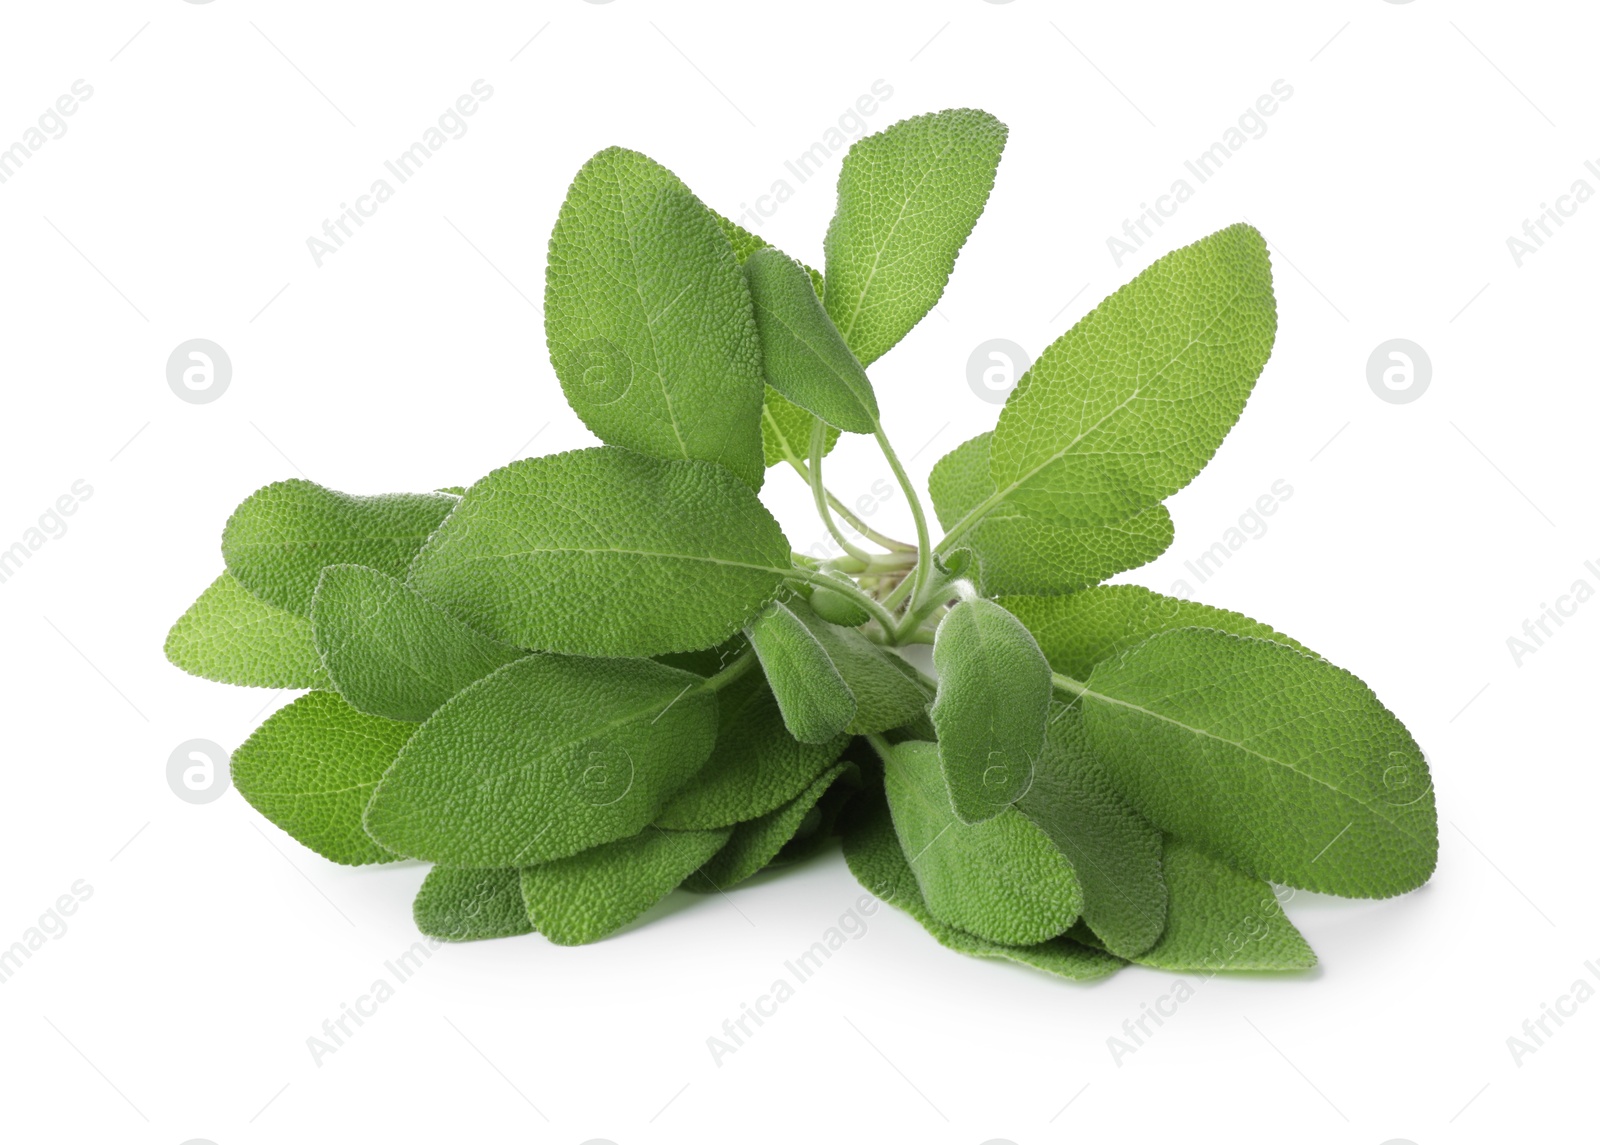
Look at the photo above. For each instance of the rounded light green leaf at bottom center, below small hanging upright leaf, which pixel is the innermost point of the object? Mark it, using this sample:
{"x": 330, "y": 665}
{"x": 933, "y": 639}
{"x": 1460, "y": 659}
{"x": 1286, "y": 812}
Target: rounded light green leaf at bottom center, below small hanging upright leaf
{"x": 1002, "y": 880}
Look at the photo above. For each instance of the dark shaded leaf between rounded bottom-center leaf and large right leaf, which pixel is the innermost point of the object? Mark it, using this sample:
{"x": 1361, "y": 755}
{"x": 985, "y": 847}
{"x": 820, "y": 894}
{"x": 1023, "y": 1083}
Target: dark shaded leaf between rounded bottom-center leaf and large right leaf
{"x": 1116, "y": 853}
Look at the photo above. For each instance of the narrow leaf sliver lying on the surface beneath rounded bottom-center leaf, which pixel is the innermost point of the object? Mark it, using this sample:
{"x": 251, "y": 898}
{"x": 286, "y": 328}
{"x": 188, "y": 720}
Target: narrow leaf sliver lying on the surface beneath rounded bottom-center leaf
{"x": 876, "y": 860}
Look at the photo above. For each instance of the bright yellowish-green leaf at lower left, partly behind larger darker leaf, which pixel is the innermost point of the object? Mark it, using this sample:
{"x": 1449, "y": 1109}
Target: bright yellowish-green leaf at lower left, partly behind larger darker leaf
{"x": 311, "y": 770}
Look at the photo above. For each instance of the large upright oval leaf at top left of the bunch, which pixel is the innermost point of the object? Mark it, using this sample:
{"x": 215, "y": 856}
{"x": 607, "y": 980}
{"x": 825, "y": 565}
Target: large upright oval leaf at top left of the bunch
{"x": 649, "y": 319}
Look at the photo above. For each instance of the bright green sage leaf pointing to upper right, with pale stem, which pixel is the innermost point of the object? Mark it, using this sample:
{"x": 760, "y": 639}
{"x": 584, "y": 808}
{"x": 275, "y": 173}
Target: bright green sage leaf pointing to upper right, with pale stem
{"x": 1129, "y": 405}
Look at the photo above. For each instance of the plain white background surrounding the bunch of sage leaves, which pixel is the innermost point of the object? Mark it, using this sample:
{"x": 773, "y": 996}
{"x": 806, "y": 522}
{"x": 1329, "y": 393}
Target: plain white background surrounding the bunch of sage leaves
{"x": 1418, "y": 538}
